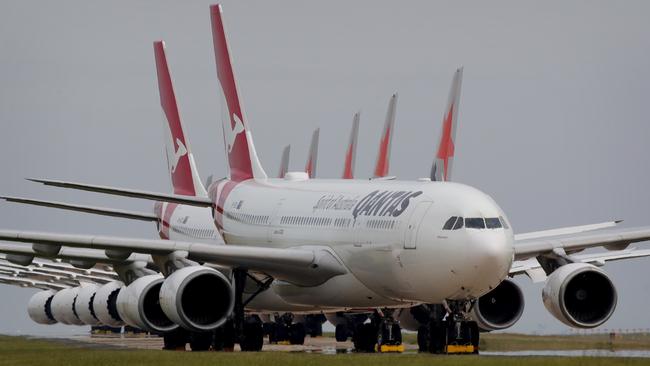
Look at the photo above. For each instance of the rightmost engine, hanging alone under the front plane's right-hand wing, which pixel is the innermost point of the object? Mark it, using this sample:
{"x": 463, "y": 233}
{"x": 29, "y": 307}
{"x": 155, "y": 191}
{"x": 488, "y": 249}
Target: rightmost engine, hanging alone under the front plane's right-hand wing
{"x": 580, "y": 295}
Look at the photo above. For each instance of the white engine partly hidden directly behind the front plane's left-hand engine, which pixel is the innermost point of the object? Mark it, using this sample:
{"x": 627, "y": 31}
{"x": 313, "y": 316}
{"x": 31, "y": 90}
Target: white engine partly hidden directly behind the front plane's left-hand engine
{"x": 139, "y": 306}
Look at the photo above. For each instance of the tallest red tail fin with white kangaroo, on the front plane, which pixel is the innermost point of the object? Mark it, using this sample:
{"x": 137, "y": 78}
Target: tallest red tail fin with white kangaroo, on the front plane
{"x": 242, "y": 158}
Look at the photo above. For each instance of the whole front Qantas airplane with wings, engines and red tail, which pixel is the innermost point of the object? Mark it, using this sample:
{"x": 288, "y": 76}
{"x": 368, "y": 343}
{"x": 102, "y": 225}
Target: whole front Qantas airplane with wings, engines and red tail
{"x": 349, "y": 244}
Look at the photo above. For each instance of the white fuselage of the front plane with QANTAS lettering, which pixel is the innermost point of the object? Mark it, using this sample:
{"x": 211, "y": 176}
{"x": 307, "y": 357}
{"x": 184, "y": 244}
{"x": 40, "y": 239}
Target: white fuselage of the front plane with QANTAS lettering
{"x": 389, "y": 235}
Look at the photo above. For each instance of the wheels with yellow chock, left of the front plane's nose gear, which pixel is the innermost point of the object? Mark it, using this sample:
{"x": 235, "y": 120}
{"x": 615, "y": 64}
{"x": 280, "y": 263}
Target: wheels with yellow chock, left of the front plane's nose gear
{"x": 381, "y": 334}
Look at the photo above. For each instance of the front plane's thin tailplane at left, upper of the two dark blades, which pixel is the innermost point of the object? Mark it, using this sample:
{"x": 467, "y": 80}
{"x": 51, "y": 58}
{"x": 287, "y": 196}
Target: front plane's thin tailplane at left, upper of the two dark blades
{"x": 125, "y": 192}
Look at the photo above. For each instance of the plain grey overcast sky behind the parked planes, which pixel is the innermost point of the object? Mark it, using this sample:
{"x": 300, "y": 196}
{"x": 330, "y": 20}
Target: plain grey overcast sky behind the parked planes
{"x": 553, "y": 117}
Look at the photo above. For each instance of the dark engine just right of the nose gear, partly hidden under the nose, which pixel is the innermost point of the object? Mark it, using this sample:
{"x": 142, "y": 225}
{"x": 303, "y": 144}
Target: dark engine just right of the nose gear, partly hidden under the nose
{"x": 500, "y": 308}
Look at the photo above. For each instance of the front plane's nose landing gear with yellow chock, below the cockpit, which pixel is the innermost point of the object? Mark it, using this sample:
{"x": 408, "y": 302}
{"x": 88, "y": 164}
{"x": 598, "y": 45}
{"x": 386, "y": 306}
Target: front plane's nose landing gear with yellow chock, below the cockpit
{"x": 453, "y": 334}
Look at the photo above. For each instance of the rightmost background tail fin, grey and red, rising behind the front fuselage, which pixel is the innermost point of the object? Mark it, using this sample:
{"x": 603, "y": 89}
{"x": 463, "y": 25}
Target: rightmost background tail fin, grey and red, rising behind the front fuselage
{"x": 442, "y": 164}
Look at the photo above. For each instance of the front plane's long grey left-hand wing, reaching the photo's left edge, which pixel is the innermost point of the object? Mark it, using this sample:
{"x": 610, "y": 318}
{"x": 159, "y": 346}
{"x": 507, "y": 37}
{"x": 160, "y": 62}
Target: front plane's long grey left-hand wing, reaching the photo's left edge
{"x": 306, "y": 266}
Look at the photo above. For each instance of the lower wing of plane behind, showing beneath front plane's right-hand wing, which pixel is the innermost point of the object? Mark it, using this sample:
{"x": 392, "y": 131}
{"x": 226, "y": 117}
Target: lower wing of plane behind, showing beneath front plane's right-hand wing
{"x": 533, "y": 269}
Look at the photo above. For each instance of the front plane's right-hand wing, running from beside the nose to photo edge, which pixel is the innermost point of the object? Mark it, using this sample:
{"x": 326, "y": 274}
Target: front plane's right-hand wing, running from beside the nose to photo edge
{"x": 614, "y": 239}
